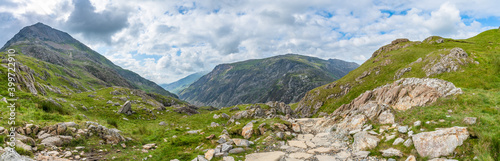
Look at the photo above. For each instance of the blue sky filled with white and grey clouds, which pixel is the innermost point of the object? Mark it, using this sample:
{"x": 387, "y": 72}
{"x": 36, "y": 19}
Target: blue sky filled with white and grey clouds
{"x": 167, "y": 40}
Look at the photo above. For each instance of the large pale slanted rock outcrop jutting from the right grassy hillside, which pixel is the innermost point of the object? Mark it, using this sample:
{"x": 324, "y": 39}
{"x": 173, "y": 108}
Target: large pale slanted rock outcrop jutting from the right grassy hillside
{"x": 403, "y": 94}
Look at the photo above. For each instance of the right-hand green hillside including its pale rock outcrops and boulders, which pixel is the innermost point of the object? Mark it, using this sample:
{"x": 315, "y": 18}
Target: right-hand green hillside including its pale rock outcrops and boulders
{"x": 410, "y": 85}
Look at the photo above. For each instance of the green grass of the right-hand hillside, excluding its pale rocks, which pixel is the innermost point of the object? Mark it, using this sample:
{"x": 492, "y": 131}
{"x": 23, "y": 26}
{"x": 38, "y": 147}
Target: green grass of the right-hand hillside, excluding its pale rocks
{"x": 478, "y": 76}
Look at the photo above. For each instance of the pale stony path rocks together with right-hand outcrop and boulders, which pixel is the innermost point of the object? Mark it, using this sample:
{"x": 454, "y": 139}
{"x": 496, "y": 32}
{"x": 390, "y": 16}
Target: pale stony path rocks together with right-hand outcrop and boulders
{"x": 348, "y": 133}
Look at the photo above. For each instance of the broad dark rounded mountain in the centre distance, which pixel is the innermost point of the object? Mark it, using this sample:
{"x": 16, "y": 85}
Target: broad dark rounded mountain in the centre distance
{"x": 283, "y": 78}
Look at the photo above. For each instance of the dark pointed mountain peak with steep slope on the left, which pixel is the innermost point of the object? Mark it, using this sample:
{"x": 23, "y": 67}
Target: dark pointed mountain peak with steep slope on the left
{"x": 56, "y": 47}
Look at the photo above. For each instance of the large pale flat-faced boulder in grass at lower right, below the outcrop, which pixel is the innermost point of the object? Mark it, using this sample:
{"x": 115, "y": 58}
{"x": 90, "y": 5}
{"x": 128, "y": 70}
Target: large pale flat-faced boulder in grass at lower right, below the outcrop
{"x": 441, "y": 142}
